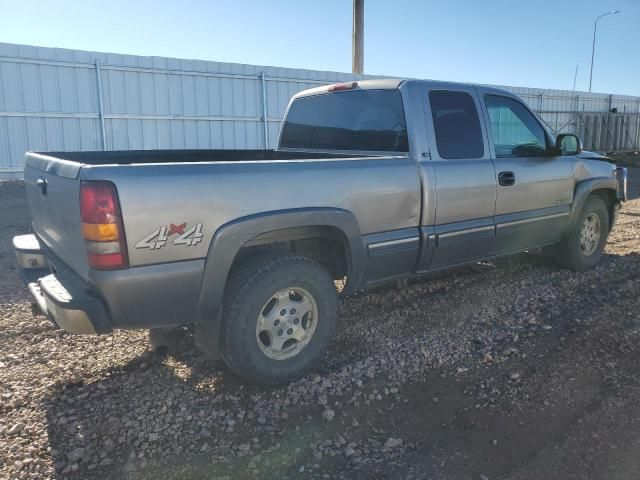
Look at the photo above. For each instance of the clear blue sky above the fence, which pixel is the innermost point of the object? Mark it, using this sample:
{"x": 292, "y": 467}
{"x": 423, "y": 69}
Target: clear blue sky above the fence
{"x": 533, "y": 43}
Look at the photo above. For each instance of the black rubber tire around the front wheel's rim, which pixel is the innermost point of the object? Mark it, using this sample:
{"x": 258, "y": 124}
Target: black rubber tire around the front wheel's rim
{"x": 570, "y": 253}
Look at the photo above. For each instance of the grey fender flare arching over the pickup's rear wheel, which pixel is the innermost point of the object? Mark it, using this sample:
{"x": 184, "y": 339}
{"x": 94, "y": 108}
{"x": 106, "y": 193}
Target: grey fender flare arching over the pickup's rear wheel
{"x": 231, "y": 237}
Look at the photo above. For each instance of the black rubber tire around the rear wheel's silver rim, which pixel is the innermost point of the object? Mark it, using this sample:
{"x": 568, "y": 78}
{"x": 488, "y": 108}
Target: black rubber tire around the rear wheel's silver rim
{"x": 248, "y": 290}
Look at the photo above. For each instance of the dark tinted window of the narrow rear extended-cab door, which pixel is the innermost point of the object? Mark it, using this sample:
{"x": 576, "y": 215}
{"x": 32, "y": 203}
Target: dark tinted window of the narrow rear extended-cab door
{"x": 456, "y": 125}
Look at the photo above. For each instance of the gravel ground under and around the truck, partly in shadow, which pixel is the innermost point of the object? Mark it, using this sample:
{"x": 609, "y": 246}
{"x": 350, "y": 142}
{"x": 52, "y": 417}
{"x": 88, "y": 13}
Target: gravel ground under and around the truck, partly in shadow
{"x": 511, "y": 369}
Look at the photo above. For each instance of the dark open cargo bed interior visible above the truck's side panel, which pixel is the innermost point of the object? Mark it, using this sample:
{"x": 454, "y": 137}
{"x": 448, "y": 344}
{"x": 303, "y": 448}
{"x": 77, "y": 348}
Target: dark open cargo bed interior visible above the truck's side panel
{"x": 129, "y": 157}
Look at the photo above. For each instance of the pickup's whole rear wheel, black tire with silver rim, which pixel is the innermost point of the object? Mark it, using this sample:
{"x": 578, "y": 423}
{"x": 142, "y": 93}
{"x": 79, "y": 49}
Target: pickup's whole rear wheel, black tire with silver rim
{"x": 279, "y": 315}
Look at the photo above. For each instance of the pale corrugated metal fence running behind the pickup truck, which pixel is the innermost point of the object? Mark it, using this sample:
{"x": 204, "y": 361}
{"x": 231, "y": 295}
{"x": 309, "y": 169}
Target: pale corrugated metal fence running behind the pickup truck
{"x": 59, "y": 99}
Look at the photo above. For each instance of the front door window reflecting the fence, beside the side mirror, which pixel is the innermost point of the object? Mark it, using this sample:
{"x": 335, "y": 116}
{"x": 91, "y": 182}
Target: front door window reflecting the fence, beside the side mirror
{"x": 515, "y": 131}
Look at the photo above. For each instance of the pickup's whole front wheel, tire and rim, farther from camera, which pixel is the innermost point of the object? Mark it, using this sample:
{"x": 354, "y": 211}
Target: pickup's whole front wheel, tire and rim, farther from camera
{"x": 583, "y": 247}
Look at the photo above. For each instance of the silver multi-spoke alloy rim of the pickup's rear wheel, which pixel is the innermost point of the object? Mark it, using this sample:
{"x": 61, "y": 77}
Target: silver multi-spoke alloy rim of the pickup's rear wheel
{"x": 286, "y": 323}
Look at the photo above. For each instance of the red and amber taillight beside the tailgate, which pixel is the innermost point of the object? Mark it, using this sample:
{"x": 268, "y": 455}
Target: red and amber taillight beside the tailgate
{"x": 102, "y": 225}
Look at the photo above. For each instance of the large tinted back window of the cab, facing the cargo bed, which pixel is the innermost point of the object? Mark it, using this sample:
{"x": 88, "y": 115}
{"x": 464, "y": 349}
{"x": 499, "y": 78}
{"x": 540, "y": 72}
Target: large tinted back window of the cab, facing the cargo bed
{"x": 350, "y": 120}
